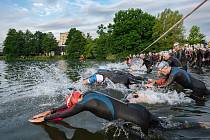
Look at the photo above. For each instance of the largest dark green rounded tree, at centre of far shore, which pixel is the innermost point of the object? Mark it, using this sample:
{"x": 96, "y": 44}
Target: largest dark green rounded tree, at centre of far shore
{"x": 129, "y": 34}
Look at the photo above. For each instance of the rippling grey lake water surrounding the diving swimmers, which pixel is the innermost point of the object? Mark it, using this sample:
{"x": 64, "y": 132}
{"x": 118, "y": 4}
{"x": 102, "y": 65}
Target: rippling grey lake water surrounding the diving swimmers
{"x": 27, "y": 88}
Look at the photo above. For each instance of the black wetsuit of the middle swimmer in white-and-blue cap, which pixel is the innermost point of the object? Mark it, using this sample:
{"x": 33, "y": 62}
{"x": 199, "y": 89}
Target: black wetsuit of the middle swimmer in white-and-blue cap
{"x": 121, "y": 77}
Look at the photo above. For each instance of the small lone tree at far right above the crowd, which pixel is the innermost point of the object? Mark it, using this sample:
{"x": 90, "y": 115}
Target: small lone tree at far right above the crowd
{"x": 195, "y": 35}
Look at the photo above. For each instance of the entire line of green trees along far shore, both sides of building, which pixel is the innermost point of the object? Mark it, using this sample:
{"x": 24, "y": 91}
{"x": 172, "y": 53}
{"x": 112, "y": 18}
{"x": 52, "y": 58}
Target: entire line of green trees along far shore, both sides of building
{"x": 130, "y": 32}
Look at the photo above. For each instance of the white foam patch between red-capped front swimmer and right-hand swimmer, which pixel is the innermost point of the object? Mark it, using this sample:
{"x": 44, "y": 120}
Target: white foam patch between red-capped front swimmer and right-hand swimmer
{"x": 151, "y": 97}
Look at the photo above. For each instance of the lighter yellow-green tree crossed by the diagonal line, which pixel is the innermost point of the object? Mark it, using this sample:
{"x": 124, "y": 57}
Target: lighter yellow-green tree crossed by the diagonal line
{"x": 165, "y": 20}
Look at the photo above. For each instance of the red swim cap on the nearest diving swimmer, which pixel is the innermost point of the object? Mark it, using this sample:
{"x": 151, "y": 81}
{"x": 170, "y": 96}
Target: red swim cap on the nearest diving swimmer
{"x": 73, "y": 98}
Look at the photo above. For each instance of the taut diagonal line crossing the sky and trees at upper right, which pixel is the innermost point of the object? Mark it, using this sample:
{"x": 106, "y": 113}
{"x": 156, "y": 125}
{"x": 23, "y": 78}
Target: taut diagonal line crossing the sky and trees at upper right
{"x": 182, "y": 19}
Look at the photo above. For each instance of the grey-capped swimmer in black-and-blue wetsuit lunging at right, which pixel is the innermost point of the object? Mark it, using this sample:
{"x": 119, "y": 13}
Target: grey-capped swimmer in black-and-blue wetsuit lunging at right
{"x": 183, "y": 78}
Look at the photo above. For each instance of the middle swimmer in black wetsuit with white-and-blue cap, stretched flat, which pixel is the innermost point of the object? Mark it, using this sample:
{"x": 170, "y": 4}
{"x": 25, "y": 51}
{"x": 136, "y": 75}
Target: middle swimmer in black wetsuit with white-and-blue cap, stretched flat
{"x": 115, "y": 76}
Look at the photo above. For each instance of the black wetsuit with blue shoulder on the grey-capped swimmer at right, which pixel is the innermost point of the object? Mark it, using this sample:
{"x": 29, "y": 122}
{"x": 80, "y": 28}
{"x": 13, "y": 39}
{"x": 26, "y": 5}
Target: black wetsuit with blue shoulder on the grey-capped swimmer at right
{"x": 183, "y": 78}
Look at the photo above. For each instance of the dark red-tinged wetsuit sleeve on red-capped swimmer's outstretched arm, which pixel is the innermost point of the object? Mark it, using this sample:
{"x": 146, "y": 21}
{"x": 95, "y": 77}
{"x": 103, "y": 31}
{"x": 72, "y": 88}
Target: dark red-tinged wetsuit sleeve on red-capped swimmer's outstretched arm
{"x": 65, "y": 113}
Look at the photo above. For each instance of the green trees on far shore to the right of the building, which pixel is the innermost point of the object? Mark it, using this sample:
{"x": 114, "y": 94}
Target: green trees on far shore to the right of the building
{"x": 131, "y": 31}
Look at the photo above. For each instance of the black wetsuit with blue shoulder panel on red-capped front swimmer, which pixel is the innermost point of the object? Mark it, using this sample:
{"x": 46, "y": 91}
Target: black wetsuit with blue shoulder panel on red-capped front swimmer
{"x": 108, "y": 108}
